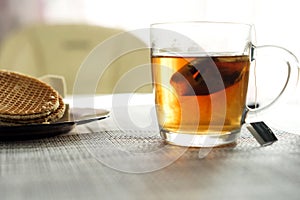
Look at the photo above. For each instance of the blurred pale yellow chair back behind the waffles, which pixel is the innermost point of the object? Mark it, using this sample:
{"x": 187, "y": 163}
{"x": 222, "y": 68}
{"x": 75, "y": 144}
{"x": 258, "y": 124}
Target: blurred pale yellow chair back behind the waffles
{"x": 60, "y": 49}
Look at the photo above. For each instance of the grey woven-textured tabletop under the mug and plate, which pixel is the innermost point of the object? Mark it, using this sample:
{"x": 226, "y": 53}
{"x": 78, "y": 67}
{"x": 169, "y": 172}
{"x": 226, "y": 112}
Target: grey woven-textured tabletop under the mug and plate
{"x": 111, "y": 159}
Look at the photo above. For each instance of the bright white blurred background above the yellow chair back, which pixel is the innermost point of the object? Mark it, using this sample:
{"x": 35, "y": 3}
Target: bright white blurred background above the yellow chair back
{"x": 275, "y": 20}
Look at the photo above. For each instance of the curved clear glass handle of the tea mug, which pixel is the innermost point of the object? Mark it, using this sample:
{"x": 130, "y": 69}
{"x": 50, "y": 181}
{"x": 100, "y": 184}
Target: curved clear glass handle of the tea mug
{"x": 292, "y": 79}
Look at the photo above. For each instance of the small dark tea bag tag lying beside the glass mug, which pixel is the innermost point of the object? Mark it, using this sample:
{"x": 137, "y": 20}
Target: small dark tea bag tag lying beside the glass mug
{"x": 262, "y": 133}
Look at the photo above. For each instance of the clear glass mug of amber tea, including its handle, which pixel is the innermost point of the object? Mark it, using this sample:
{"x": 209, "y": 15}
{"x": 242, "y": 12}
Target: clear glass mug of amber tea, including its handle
{"x": 200, "y": 73}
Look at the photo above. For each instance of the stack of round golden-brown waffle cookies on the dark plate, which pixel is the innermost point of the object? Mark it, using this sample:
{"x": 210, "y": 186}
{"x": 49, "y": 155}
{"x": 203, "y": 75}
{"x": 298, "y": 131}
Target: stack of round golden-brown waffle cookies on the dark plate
{"x": 27, "y": 100}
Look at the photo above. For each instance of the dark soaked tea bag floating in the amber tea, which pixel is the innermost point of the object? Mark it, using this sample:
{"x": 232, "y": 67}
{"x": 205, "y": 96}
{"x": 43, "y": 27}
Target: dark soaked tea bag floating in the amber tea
{"x": 203, "y": 76}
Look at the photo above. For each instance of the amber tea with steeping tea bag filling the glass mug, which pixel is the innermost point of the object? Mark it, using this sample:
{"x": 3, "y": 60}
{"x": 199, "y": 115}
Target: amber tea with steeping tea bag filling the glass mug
{"x": 184, "y": 100}
